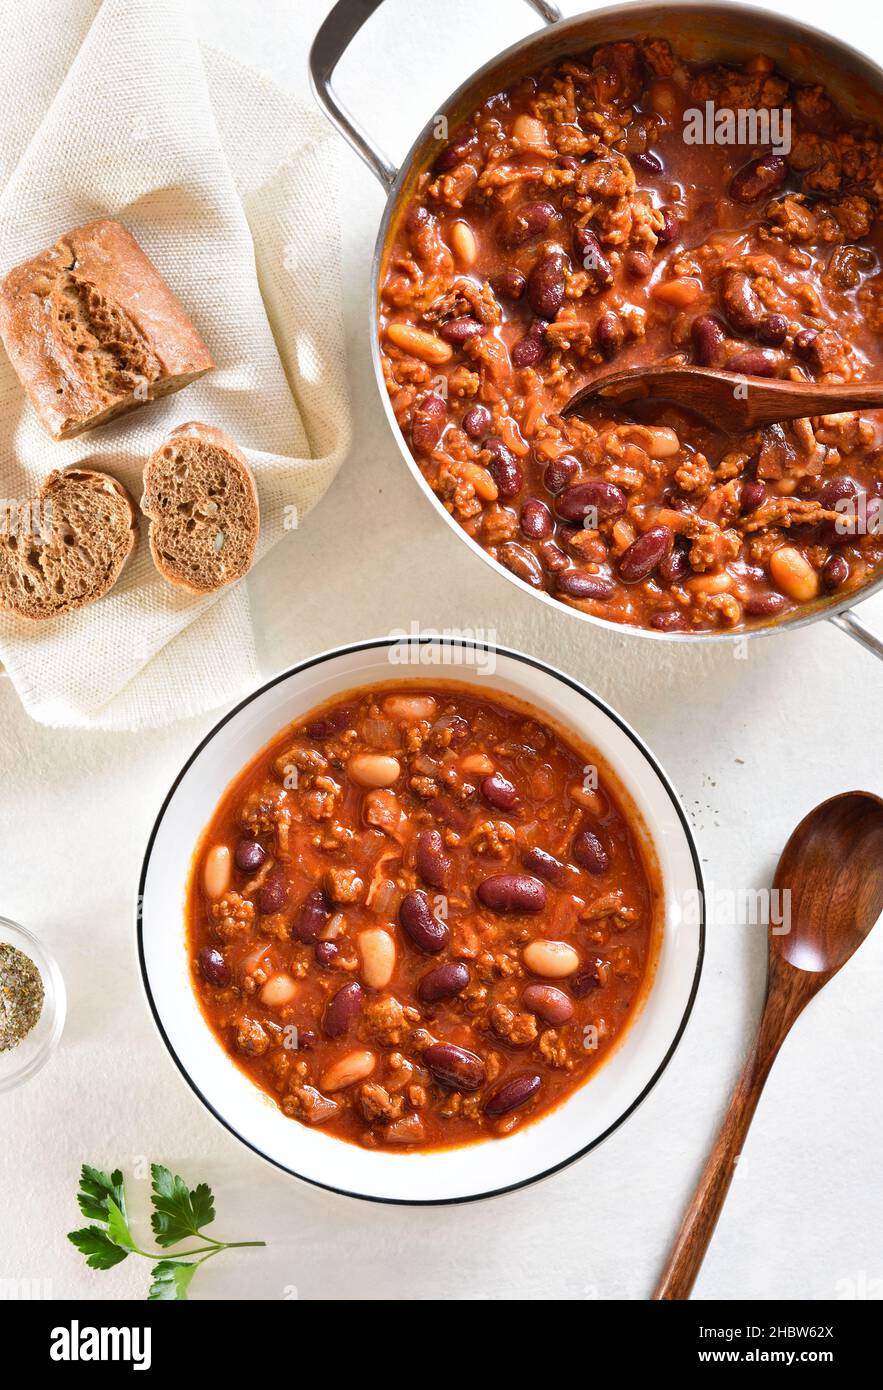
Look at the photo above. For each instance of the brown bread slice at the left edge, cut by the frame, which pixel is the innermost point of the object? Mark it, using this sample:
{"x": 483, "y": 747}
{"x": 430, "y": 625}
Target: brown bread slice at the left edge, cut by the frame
{"x": 66, "y": 547}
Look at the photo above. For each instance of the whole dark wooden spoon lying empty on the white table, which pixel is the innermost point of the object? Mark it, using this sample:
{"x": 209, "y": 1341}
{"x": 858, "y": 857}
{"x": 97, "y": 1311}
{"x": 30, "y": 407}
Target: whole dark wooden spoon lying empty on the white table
{"x": 834, "y": 869}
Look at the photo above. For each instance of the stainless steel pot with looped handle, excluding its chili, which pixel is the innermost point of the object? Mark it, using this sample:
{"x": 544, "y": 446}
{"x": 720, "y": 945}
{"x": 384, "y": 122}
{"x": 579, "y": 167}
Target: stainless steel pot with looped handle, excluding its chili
{"x": 703, "y": 33}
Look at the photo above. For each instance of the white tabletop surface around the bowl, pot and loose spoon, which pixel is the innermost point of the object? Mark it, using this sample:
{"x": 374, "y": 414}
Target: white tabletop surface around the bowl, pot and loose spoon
{"x": 752, "y": 746}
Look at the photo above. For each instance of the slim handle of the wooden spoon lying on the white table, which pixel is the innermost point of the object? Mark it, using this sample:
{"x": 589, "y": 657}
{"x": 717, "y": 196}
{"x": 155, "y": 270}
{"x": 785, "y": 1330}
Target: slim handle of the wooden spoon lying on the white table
{"x": 699, "y": 1225}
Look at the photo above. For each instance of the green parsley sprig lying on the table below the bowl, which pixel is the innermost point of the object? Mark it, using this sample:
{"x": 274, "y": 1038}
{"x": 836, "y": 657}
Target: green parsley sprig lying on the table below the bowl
{"x": 180, "y": 1214}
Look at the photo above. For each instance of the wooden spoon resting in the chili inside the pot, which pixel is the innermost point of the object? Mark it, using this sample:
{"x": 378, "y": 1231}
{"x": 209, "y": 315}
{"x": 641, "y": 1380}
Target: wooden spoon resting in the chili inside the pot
{"x": 727, "y": 400}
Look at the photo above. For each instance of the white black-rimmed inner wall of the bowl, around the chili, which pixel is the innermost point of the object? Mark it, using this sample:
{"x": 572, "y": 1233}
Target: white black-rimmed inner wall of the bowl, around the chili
{"x": 471, "y": 1172}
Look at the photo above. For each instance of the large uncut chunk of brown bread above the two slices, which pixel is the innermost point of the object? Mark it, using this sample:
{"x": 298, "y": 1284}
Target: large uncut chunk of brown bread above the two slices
{"x": 92, "y": 330}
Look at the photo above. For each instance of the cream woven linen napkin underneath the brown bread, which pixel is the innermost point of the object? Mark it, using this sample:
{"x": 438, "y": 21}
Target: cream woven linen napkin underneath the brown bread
{"x": 230, "y": 186}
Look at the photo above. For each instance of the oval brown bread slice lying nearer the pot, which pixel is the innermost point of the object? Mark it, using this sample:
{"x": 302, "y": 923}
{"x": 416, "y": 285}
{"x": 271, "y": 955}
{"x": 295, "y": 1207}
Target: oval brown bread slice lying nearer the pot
{"x": 202, "y": 505}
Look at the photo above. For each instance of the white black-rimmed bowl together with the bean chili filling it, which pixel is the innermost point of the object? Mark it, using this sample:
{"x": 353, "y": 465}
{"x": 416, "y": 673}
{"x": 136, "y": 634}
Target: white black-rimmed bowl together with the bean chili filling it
{"x": 440, "y": 935}
